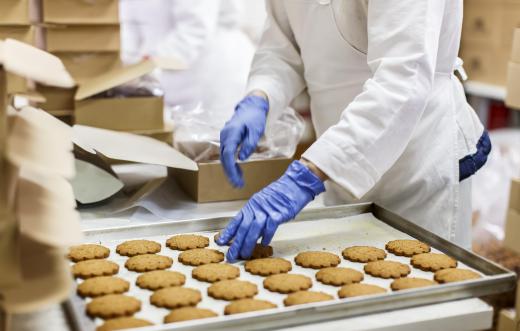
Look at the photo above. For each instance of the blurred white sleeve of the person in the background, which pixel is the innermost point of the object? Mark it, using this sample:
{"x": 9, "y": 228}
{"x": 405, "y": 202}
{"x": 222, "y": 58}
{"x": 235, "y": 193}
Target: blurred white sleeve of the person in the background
{"x": 195, "y": 24}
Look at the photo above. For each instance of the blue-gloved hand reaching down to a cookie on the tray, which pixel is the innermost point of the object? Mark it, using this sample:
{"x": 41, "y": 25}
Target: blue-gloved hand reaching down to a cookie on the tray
{"x": 266, "y": 210}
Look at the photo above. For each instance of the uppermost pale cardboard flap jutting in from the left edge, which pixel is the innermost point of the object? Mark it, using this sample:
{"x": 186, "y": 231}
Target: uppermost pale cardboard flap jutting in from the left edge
{"x": 27, "y": 61}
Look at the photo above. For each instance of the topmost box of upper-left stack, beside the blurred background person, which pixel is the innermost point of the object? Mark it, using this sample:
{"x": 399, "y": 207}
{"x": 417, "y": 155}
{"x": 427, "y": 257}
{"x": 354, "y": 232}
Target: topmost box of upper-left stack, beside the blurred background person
{"x": 80, "y": 11}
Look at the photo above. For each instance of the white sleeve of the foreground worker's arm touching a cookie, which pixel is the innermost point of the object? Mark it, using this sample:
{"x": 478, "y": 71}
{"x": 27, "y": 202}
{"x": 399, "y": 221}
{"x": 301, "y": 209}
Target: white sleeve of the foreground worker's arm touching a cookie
{"x": 375, "y": 128}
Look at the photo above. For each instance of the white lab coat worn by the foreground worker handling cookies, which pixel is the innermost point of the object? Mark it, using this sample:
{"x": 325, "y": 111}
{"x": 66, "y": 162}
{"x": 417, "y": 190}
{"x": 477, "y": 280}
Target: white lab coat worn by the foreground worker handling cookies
{"x": 391, "y": 118}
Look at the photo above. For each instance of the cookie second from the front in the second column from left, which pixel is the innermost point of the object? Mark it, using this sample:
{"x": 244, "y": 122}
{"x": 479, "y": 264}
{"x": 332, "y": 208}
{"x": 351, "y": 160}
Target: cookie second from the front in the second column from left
{"x": 175, "y": 297}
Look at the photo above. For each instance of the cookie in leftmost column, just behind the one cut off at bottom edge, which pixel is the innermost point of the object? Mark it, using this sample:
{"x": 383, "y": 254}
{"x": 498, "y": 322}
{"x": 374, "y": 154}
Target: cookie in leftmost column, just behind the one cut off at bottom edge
{"x": 113, "y": 305}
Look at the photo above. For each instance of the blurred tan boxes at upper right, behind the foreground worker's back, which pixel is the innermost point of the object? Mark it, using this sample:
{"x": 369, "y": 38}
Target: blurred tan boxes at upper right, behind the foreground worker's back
{"x": 487, "y": 35}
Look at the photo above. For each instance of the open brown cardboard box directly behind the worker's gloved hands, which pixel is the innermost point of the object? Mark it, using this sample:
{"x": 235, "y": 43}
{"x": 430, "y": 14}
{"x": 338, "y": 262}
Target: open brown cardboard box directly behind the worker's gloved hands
{"x": 210, "y": 184}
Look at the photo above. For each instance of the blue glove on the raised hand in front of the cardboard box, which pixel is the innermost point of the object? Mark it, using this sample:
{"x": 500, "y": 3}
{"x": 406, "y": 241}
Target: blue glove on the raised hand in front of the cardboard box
{"x": 244, "y": 129}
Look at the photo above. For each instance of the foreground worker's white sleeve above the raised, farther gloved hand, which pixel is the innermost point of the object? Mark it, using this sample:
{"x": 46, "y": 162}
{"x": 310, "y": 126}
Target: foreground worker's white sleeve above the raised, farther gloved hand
{"x": 277, "y": 67}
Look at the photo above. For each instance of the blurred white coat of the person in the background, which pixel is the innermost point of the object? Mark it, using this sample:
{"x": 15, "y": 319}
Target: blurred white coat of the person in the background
{"x": 205, "y": 34}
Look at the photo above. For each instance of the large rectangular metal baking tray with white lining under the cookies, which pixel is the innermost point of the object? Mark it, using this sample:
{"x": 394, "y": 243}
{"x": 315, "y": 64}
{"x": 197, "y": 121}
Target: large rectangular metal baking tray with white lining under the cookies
{"x": 328, "y": 228}
